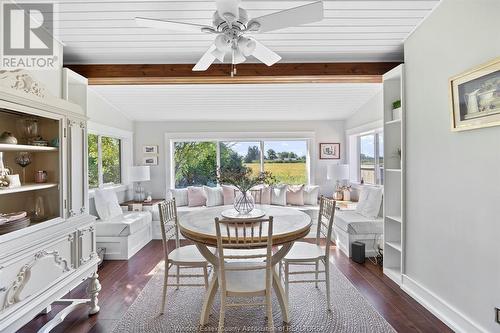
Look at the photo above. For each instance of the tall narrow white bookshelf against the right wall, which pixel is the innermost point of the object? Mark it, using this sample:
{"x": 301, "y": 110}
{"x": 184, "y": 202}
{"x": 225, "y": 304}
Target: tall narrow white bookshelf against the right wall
{"x": 394, "y": 171}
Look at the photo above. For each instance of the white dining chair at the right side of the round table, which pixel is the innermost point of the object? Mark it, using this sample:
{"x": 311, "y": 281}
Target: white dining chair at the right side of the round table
{"x": 303, "y": 253}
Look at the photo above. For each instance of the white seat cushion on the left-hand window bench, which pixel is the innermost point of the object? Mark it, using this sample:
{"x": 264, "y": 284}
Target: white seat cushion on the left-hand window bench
{"x": 123, "y": 225}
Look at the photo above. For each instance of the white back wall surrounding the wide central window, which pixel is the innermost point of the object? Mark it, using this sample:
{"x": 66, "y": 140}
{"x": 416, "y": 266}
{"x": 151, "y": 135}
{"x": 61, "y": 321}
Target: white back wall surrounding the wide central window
{"x": 153, "y": 133}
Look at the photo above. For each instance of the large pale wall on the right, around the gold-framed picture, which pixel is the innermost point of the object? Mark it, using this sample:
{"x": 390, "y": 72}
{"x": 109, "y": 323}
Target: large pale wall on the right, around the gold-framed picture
{"x": 453, "y": 179}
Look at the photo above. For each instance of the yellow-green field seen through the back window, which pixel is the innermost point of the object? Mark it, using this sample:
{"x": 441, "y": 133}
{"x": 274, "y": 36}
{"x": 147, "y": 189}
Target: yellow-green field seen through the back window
{"x": 289, "y": 173}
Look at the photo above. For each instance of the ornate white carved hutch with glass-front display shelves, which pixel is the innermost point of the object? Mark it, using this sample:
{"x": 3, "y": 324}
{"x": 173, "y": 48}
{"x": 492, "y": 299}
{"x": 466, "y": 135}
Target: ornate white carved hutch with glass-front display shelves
{"x": 57, "y": 251}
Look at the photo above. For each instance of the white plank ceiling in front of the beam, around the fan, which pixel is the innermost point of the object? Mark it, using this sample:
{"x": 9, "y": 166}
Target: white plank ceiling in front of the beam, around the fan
{"x": 104, "y": 31}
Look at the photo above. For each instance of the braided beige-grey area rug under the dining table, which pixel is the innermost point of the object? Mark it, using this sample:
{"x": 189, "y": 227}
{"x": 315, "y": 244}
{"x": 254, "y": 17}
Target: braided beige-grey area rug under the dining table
{"x": 351, "y": 312}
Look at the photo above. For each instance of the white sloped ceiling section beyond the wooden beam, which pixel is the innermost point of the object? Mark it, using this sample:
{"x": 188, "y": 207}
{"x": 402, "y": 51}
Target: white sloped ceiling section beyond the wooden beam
{"x": 238, "y": 102}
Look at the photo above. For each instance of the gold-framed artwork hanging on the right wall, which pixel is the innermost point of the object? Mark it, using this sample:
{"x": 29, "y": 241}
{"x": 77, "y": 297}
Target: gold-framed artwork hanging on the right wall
{"x": 475, "y": 97}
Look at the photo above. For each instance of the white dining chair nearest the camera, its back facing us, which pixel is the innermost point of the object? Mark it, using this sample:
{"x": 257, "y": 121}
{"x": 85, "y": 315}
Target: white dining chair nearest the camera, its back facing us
{"x": 245, "y": 274}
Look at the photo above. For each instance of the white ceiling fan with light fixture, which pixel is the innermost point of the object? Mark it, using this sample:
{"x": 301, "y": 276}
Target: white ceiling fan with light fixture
{"x": 231, "y": 25}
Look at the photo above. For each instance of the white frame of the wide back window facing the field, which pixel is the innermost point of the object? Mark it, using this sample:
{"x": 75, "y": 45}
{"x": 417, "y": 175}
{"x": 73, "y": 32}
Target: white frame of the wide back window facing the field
{"x": 171, "y": 139}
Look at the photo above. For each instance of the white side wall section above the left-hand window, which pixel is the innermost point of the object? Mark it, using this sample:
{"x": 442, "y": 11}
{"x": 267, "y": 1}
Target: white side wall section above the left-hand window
{"x": 99, "y": 110}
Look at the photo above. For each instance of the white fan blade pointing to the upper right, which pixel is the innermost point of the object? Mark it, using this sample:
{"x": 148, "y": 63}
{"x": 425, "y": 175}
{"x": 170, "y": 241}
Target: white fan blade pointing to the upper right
{"x": 292, "y": 17}
